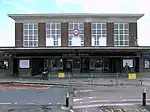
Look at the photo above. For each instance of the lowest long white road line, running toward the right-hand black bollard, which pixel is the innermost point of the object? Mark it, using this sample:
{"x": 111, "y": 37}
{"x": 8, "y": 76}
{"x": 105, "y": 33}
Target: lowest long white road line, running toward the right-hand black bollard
{"x": 117, "y": 104}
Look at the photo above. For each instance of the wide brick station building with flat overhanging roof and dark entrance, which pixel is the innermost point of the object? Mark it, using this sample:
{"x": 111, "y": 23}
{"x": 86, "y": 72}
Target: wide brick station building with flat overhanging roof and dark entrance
{"x": 76, "y": 43}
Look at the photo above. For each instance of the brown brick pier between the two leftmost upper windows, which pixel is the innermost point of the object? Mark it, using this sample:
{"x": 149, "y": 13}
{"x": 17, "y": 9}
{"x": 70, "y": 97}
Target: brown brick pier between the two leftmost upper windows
{"x": 41, "y": 34}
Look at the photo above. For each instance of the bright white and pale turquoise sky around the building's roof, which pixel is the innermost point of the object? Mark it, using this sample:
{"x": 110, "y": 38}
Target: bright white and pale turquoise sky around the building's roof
{"x": 7, "y": 29}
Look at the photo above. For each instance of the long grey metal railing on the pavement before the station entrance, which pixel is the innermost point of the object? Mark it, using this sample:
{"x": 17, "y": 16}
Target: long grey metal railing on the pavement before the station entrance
{"x": 114, "y": 79}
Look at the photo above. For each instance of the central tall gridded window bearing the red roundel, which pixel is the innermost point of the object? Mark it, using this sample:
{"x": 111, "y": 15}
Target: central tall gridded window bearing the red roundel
{"x": 76, "y": 34}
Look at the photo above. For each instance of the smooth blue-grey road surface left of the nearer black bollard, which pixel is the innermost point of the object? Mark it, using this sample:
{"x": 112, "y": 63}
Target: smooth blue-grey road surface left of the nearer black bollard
{"x": 39, "y": 96}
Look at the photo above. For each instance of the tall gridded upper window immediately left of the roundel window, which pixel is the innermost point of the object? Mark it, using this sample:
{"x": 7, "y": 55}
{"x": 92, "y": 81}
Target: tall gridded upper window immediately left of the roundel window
{"x": 53, "y": 34}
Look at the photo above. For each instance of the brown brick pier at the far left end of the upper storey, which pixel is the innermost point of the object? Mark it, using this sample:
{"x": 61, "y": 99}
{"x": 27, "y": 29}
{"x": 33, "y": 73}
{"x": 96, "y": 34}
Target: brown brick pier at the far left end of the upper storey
{"x": 18, "y": 34}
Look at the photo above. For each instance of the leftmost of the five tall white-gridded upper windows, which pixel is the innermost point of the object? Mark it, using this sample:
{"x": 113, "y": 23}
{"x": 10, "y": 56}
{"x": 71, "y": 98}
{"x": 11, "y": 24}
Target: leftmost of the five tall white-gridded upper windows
{"x": 30, "y": 35}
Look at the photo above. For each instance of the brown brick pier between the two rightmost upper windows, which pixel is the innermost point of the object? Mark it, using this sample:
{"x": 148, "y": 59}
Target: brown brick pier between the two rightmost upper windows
{"x": 110, "y": 34}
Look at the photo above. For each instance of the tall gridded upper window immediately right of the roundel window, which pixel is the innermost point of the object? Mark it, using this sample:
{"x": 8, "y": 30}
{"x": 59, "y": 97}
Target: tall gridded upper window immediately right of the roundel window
{"x": 99, "y": 34}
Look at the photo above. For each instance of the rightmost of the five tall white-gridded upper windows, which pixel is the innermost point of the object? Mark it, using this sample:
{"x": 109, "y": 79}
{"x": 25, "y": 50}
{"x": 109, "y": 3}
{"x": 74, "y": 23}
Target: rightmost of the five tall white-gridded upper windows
{"x": 121, "y": 34}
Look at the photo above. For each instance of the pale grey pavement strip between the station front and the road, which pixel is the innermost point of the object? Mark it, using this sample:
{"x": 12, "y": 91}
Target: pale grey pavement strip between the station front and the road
{"x": 78, "y": 82}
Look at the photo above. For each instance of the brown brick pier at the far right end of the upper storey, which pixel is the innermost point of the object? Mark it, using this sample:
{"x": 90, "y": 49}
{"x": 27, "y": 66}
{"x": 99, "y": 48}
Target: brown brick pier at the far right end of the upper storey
{"x": 132, "y": 34}
